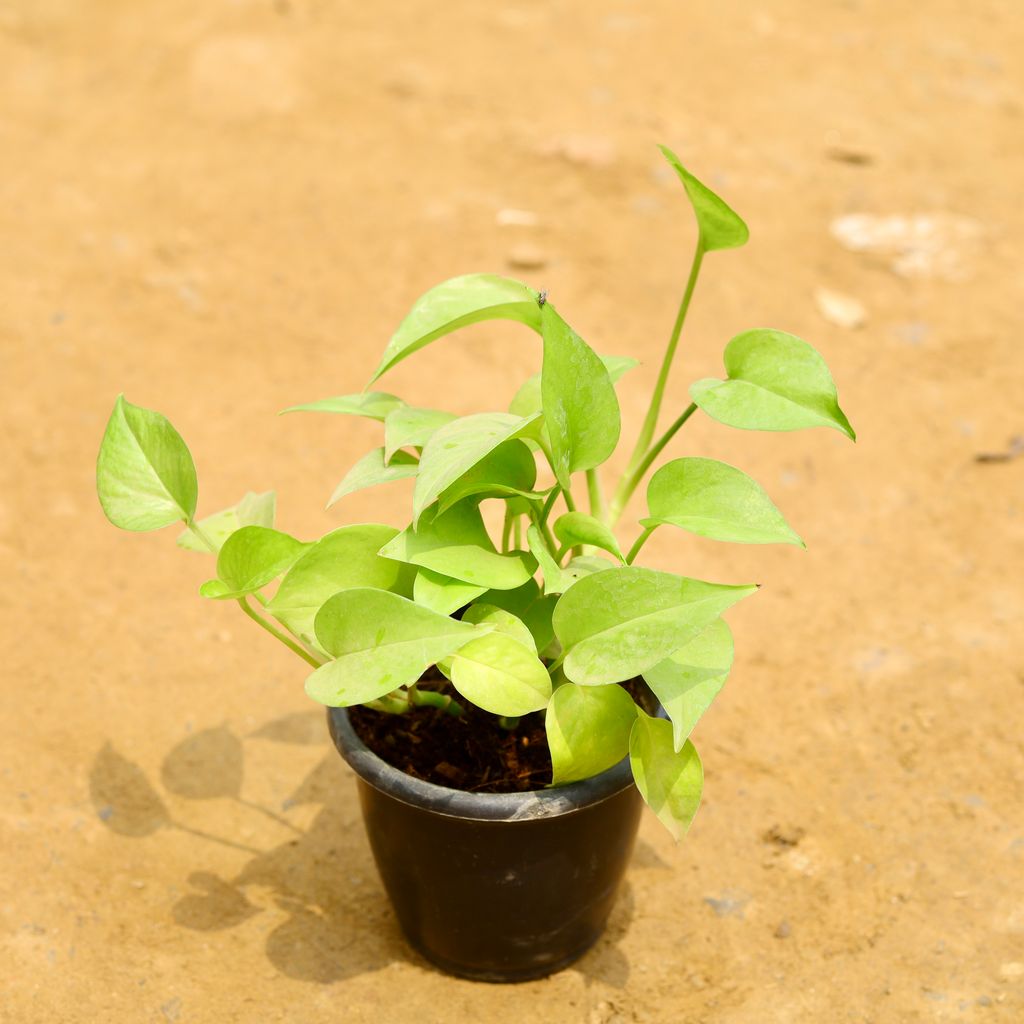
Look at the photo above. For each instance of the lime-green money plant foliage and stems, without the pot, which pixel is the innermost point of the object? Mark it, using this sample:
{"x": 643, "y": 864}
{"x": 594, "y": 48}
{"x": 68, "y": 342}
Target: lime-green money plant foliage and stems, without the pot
{"x": 550, "y": 613}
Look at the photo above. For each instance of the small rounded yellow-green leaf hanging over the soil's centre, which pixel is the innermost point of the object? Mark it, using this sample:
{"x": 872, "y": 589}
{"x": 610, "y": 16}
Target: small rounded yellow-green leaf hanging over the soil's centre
{"x": 501, "y": 675}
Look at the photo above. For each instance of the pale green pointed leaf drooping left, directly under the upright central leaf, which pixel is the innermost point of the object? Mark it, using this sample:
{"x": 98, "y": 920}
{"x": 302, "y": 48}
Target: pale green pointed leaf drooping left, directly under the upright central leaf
{"x": 459, "y": 447}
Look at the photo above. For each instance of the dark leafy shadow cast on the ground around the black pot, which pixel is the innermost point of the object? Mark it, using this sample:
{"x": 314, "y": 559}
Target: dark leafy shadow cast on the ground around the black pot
{"x": 338, "y": 923}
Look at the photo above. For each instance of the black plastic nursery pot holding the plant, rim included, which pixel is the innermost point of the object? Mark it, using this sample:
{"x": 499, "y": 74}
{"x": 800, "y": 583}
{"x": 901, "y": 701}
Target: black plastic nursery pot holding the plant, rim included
{"x": 496, "y": 887}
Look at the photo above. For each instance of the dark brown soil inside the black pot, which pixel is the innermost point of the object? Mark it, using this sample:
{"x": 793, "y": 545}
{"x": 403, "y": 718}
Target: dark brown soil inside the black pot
{"x": 470, "y": 752}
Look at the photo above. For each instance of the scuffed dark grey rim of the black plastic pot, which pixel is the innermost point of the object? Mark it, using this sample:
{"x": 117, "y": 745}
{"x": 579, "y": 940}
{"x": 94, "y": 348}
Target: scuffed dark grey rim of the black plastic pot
{"x": 474, "y": 806}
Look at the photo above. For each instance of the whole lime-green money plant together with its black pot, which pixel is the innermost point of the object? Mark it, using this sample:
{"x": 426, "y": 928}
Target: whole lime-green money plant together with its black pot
{"x": 505, "y": 696}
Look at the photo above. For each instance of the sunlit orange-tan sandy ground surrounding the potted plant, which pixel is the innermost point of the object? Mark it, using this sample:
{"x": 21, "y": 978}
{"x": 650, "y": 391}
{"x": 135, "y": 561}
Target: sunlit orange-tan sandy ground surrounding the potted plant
{"x": 224, "y": 208}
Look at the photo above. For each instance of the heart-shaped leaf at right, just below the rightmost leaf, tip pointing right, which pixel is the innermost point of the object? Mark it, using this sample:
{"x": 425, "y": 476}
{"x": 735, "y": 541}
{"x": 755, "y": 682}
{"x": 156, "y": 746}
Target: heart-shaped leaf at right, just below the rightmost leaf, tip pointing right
{"x": 715, "y": 500}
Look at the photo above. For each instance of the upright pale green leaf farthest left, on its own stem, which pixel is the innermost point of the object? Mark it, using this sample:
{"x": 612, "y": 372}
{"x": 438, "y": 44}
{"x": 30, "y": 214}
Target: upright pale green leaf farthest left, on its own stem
{"x": 146, "y": 478}
